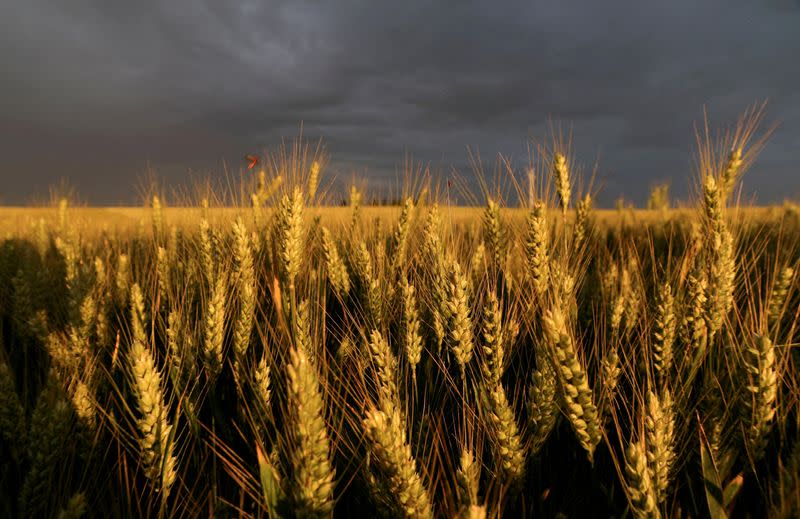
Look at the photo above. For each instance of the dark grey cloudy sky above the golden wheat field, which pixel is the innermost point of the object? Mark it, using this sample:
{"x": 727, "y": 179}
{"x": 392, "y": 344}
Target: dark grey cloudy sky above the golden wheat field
{"x": 95, "y": 91}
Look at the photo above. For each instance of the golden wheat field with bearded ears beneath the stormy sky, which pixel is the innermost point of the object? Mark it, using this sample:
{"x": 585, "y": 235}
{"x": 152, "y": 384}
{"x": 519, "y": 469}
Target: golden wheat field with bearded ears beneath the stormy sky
{"x": 284, "y": 358}
